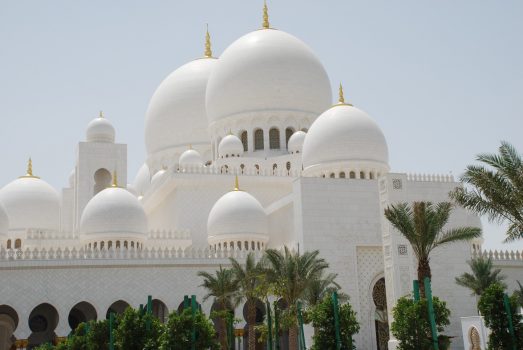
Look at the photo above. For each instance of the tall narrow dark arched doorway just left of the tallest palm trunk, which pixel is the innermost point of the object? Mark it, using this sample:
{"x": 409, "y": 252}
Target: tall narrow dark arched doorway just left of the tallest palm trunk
{"x": 381, "y": 322}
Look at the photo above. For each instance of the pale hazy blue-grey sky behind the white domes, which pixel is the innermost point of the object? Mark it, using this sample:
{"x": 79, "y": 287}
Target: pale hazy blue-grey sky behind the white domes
{"x": 444, "y": 79}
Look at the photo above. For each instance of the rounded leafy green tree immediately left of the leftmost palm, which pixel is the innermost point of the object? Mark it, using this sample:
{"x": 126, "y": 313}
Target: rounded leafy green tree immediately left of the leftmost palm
{"x": 178, "y": 332}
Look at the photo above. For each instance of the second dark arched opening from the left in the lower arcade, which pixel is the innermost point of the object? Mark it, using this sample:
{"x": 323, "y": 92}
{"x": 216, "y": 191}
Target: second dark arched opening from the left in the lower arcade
{"x": 42, "y": 323}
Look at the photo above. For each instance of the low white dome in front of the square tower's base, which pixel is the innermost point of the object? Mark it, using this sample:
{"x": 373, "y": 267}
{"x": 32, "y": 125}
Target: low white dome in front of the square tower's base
{"x": 113, "y": 213}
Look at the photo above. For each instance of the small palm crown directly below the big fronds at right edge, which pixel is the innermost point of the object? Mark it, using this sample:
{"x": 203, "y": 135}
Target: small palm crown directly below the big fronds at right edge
{"x": 482, "y": 276}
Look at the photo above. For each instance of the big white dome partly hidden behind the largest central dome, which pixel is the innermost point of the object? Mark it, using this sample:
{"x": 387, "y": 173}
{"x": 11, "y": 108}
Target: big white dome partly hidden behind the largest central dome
{"x": 176, "y": 115}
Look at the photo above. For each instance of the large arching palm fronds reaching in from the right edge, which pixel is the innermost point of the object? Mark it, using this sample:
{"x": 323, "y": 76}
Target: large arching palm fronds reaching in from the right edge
{"x": 496, "y": 190}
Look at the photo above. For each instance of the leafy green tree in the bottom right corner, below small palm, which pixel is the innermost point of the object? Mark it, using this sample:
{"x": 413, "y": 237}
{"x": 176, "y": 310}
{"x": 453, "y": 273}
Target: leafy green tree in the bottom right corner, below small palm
{"x": 492, "y": 308}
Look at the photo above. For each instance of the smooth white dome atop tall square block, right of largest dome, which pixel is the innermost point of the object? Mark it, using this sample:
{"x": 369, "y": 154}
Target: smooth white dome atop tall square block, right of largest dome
{"x": 344, "y": 133}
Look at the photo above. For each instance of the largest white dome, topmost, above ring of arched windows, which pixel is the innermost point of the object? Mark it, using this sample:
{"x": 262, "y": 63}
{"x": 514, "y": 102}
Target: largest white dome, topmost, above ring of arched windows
{"x": 267, "y": 70}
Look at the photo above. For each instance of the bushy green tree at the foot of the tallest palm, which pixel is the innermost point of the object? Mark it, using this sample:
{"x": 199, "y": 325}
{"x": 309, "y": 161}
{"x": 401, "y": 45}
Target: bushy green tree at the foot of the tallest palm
{"x": 411, "y": 325}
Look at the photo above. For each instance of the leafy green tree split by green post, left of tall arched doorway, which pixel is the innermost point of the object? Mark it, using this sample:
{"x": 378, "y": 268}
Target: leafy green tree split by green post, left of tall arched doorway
{"x": 322, "y": 317}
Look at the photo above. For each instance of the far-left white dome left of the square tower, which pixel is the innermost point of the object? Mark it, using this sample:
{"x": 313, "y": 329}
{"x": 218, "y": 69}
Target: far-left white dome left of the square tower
{"x": 31, "y": 203}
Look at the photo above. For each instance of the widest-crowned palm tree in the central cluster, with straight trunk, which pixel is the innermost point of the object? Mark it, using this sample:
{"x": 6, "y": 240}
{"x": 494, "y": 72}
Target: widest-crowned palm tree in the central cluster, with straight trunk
{"x": 291, "y": 274}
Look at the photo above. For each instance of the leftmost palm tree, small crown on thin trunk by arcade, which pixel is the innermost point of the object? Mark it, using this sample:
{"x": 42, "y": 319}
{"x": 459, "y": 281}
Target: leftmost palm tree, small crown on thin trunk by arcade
{"x": 222, "y": 287}
